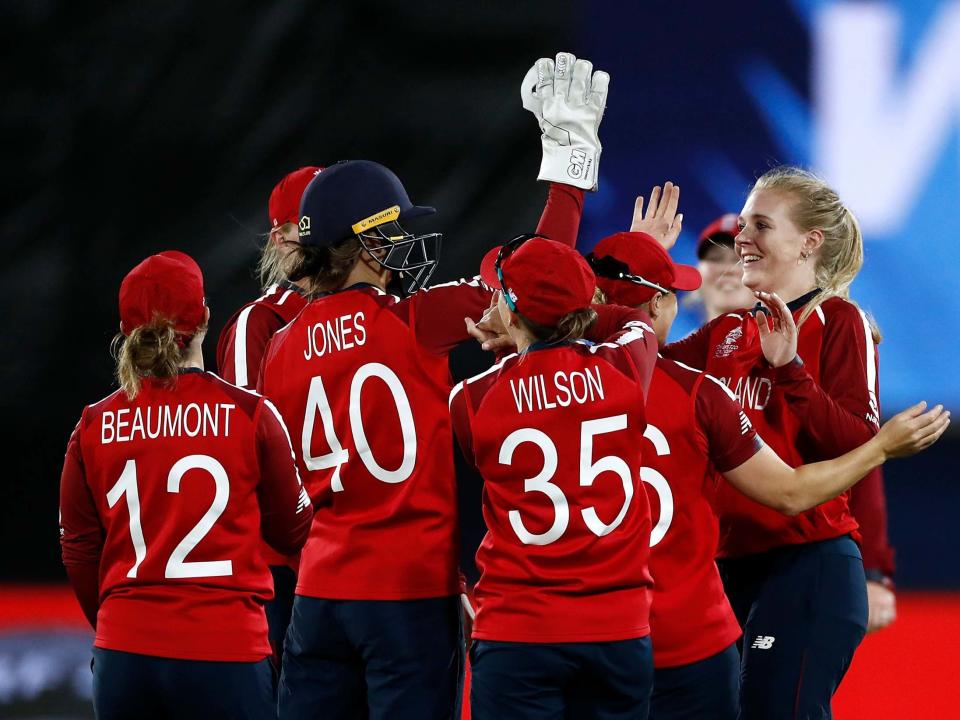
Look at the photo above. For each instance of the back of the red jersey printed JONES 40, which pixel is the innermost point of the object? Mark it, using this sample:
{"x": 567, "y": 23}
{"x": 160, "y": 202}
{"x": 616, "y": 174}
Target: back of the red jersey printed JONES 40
{"x": 366, "y": 403}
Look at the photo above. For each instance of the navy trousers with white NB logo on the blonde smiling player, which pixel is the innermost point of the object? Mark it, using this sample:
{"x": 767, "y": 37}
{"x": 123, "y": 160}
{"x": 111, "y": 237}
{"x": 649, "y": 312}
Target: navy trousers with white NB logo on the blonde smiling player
{"x": 803, "y": 610}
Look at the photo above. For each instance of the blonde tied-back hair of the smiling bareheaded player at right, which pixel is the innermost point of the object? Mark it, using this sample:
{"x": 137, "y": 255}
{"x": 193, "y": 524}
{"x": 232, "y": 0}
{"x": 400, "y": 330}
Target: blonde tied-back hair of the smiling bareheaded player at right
{"x": 818, "y": 207}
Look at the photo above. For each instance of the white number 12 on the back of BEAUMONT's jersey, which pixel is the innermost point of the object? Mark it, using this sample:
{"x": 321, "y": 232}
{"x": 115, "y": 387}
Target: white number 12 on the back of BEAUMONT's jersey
{"x": 177, "y": 566}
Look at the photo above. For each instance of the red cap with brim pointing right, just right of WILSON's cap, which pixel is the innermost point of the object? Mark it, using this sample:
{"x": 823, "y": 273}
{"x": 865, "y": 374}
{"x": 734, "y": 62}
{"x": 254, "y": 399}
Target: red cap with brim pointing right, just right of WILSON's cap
{"x": 645, "y": 257}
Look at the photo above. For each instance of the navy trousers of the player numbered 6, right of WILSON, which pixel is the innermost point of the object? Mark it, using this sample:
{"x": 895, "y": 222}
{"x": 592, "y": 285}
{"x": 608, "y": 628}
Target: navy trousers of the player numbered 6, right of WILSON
{"x": 708, "y": 689}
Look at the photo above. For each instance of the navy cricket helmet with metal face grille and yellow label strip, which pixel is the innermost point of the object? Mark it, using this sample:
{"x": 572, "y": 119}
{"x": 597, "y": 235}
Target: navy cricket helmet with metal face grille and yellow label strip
{"x": 363, "y": 199}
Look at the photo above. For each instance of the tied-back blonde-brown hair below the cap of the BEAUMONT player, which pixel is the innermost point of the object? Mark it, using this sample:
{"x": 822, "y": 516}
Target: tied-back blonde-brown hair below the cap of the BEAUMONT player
{"x": 148, "y": 351}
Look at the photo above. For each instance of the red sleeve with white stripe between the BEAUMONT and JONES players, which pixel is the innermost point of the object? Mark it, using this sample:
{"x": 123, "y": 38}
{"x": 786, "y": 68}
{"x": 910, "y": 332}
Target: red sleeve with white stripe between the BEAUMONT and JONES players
{"x": 243, "y": 343}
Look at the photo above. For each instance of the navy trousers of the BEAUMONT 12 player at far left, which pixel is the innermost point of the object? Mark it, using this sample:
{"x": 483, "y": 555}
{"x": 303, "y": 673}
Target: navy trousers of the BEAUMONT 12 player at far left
{"x": 142, "y": 687}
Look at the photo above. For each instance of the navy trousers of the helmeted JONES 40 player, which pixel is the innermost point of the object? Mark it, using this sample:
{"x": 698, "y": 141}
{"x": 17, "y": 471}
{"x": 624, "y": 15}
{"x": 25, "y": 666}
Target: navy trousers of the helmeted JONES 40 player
{"x": 373, "y": 659}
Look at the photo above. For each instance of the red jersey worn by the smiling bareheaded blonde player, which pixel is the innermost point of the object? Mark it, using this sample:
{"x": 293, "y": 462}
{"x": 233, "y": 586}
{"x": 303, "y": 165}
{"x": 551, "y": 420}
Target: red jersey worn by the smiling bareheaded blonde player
{"x": 815, "y": 411}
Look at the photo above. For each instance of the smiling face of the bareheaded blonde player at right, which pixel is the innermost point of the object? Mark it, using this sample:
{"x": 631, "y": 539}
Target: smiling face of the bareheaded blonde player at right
{"x": 771, "y": 247}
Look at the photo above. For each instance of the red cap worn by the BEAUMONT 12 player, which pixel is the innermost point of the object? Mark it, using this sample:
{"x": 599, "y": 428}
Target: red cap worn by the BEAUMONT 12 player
{"x": 168, "y": 285}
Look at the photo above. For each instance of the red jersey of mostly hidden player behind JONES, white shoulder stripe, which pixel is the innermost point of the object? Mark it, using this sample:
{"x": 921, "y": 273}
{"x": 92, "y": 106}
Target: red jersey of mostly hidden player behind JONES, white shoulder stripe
{"x": 240, "y": 350}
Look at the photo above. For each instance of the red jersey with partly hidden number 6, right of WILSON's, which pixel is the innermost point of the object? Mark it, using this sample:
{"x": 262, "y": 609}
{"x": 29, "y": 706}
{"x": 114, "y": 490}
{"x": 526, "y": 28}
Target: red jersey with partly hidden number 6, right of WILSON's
{"x": 695, "y": 428}
